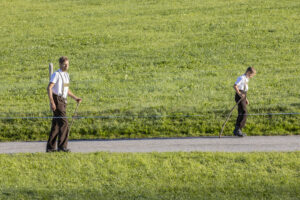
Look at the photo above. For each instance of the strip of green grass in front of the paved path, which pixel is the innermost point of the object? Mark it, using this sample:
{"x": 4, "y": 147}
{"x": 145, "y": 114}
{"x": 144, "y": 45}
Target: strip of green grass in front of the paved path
{"x": 150, "y": 176}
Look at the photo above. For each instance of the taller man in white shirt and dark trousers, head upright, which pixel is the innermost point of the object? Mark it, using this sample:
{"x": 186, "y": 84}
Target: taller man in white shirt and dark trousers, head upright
{"x": 58, "y": 90}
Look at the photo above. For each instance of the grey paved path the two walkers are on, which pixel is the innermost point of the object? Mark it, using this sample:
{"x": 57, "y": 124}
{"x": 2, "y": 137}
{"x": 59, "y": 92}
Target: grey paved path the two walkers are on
{"x": 212, "y": 144}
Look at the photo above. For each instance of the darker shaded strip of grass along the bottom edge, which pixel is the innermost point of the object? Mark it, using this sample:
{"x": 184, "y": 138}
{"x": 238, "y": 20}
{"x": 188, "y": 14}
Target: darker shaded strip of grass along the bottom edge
{"x": 250, "y": 192}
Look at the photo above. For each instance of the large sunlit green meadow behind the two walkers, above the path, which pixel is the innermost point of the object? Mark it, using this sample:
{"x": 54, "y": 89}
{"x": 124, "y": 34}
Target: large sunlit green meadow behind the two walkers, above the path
{"x": 150, "y": 68}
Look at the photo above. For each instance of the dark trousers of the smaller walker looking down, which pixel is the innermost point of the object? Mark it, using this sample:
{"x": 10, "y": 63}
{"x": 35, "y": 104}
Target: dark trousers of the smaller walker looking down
{"x": 242, "y": 111}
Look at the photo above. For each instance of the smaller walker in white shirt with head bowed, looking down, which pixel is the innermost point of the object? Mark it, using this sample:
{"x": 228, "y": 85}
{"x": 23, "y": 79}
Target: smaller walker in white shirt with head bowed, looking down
{"x": 241, "y": 88}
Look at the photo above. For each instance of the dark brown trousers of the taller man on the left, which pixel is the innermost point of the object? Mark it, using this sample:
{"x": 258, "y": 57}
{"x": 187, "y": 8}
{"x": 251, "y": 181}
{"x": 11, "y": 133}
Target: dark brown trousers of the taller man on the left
{"x": 59, "y": 127}
